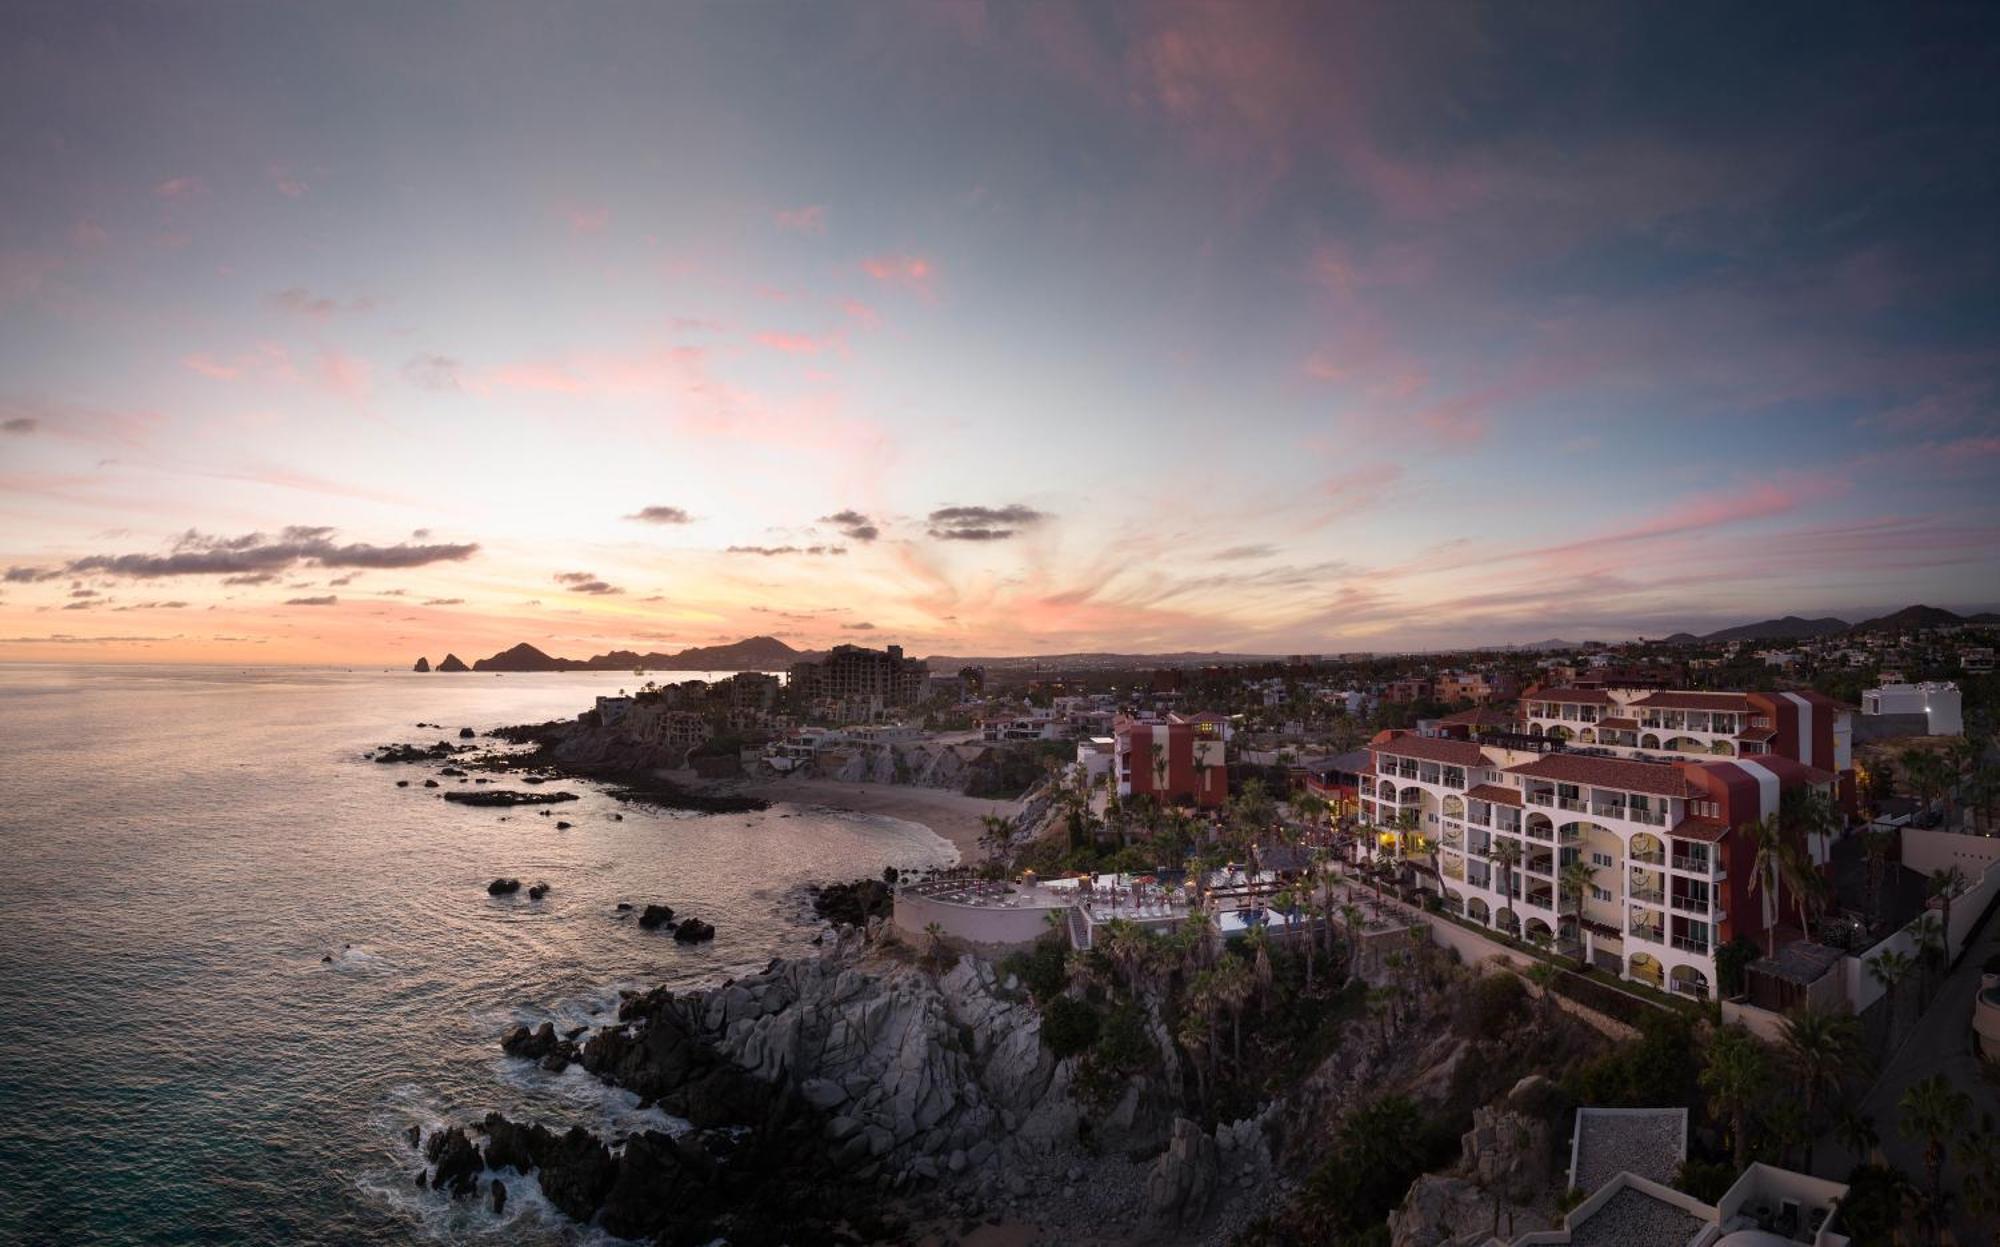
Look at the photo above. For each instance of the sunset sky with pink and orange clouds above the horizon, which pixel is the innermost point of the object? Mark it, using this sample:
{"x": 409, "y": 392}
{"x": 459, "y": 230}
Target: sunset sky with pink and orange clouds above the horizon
{"x": 353, "y": 333}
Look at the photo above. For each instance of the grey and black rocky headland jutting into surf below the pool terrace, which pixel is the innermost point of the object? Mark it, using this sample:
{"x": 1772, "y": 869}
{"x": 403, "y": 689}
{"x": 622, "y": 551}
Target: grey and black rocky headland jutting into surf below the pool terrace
{"x": 849, "y": 1098}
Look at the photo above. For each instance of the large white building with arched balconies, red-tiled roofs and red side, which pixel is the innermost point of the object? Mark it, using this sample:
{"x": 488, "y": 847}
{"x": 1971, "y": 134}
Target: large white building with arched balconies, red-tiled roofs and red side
{"x": 1493, "y": 824}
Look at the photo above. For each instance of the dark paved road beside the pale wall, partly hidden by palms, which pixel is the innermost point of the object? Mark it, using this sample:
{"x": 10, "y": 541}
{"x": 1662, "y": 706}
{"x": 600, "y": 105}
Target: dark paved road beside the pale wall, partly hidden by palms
{"x": 1939, "y": 1044}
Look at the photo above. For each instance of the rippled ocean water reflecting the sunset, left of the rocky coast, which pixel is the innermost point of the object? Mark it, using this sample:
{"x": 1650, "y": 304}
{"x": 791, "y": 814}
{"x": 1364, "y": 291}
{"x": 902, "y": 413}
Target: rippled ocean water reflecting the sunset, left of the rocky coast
{"x": 183, "y": 846}
